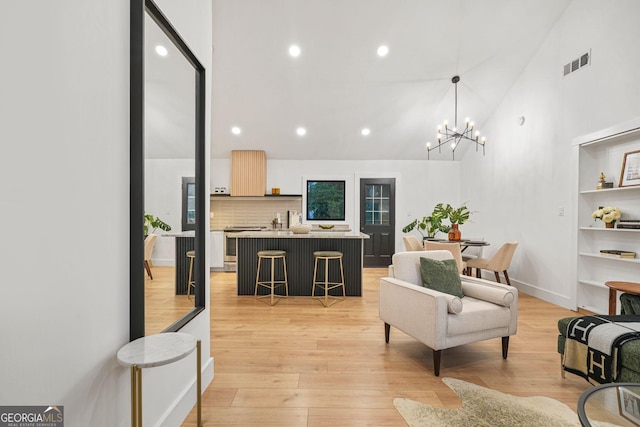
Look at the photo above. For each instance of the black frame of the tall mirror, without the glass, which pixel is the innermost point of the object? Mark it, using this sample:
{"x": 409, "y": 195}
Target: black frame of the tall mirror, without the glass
{"x": 136, "y": 189}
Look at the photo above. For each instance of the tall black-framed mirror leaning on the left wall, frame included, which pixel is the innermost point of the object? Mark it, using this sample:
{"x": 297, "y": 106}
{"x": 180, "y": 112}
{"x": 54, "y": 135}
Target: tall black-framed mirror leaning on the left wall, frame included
{"x": 167, "y": 147}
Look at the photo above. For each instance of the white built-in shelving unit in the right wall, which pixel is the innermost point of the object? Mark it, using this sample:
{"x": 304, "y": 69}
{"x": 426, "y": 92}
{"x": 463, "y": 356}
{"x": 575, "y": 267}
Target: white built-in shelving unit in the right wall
{"x": 604, "y": 152}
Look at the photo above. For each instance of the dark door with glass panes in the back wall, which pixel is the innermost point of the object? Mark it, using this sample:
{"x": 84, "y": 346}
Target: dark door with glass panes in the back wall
{"x": 377, "y": 219}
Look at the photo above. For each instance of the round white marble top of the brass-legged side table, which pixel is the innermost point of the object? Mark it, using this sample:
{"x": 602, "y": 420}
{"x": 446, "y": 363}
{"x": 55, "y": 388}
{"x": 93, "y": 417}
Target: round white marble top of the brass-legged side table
{"x": 157, "y": 350}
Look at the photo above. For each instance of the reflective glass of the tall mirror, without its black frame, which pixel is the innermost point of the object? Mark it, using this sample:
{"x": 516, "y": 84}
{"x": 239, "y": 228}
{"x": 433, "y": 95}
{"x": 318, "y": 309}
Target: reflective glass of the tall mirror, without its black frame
{"x": 169, "y": 146}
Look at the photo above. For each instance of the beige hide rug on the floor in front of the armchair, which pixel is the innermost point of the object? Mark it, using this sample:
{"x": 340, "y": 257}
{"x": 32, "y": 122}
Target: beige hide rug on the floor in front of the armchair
{"x": 485, "y": 407}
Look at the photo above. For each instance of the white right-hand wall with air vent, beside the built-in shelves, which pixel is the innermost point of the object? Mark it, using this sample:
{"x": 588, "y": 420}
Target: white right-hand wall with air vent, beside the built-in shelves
{"x": 527, "y": 174}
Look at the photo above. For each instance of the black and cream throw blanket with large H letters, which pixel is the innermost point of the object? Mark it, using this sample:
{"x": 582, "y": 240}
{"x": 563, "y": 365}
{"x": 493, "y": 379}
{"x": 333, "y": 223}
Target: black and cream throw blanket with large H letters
{"x": 592, "y": 348}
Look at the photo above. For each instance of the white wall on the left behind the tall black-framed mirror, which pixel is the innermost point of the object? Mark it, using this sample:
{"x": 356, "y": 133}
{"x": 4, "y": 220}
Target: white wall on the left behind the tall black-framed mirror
{"x": 64, "y": 123}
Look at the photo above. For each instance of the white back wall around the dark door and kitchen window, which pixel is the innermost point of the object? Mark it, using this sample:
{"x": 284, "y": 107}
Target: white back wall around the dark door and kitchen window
{"x": 420, "y": 184}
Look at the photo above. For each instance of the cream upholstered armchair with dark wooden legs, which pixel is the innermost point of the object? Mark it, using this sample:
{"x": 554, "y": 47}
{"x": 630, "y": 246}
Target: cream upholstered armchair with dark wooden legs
{"x": 438, "y": 320}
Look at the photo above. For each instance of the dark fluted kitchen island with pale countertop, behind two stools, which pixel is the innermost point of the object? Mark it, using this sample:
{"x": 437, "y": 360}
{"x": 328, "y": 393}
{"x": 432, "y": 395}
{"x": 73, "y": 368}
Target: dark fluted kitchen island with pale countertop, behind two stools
{"x": 300, "y": 261}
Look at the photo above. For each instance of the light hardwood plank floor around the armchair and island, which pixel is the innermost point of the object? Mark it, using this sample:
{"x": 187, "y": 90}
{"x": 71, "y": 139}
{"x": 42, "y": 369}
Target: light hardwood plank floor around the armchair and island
{"x": 300, "y": 364}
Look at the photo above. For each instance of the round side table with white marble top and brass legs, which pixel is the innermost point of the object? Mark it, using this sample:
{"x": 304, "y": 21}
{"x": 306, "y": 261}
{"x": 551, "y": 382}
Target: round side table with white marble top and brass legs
{"x": 157, "y": 350}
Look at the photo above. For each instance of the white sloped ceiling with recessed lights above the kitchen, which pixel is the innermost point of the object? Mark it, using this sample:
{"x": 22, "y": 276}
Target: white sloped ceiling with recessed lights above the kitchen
{"x": 339, "y": 85}
